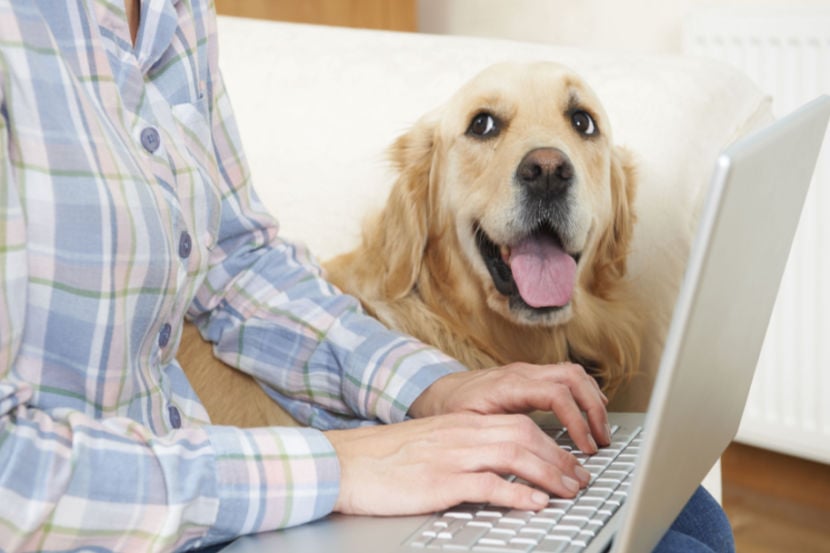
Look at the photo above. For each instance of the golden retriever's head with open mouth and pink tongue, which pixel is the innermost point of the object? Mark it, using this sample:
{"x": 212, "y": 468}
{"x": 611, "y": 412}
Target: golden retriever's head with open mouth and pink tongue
{"x": 517, "y": 176}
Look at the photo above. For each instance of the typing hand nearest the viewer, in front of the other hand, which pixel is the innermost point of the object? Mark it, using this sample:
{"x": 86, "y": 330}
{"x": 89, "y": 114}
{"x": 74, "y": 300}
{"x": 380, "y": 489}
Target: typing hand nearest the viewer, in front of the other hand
{"x": 429, "y": 464}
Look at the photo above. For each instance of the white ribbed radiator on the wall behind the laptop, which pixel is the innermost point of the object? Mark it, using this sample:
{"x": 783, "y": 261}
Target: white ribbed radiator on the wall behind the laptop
{"x": 788, "y": 56}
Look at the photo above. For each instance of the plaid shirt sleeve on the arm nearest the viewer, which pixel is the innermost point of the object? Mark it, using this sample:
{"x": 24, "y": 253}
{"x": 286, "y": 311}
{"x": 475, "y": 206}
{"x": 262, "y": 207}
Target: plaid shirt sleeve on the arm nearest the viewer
{"x": 68, "y": 479}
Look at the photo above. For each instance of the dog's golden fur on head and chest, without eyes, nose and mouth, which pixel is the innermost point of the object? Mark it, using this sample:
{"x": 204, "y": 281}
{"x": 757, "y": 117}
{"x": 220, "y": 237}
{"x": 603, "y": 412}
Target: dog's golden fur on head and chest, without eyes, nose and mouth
{"x": 418, "y": 269}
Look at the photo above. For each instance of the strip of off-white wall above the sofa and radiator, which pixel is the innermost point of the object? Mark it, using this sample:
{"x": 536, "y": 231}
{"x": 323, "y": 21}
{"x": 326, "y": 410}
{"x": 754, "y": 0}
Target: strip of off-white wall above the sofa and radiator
{"x": 634, "y": 25}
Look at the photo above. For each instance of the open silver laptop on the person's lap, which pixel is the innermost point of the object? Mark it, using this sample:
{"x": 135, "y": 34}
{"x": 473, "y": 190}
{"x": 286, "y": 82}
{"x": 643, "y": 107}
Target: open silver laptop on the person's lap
{"x": 720, "y": 319}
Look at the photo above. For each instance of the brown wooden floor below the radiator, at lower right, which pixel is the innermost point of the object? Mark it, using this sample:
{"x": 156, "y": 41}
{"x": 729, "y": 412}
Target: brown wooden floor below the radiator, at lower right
{"x": 776, "y": 503}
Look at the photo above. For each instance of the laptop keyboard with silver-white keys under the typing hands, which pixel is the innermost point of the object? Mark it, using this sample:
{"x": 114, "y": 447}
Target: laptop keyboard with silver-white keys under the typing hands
{"x": 565, "y": 525}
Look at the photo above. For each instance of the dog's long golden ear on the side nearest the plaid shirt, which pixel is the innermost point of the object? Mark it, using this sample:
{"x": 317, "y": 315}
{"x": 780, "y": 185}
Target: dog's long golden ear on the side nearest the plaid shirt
{"x": 403, "y": 227}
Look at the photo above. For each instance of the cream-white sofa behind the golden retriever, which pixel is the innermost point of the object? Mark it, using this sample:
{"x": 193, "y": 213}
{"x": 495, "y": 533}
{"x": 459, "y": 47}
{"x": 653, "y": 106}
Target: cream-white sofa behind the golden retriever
{"x": 318, "y": 106}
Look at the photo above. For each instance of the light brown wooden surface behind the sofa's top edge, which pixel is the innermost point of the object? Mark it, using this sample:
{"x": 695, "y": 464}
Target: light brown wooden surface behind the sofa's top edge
{"x": 396, "y": 15}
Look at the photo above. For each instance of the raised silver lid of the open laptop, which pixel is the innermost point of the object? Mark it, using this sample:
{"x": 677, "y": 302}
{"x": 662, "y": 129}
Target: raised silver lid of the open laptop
{"x": 721, "y": 316}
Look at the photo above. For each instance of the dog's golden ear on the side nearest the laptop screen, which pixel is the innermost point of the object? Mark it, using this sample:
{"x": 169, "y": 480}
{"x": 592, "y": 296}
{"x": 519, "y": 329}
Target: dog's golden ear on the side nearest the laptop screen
{"x": 615, "y": 241}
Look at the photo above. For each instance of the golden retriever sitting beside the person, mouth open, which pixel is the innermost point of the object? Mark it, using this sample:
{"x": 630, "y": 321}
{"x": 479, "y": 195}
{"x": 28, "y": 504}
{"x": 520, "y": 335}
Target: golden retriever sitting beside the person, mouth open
{"x": 504, "y": 237}
